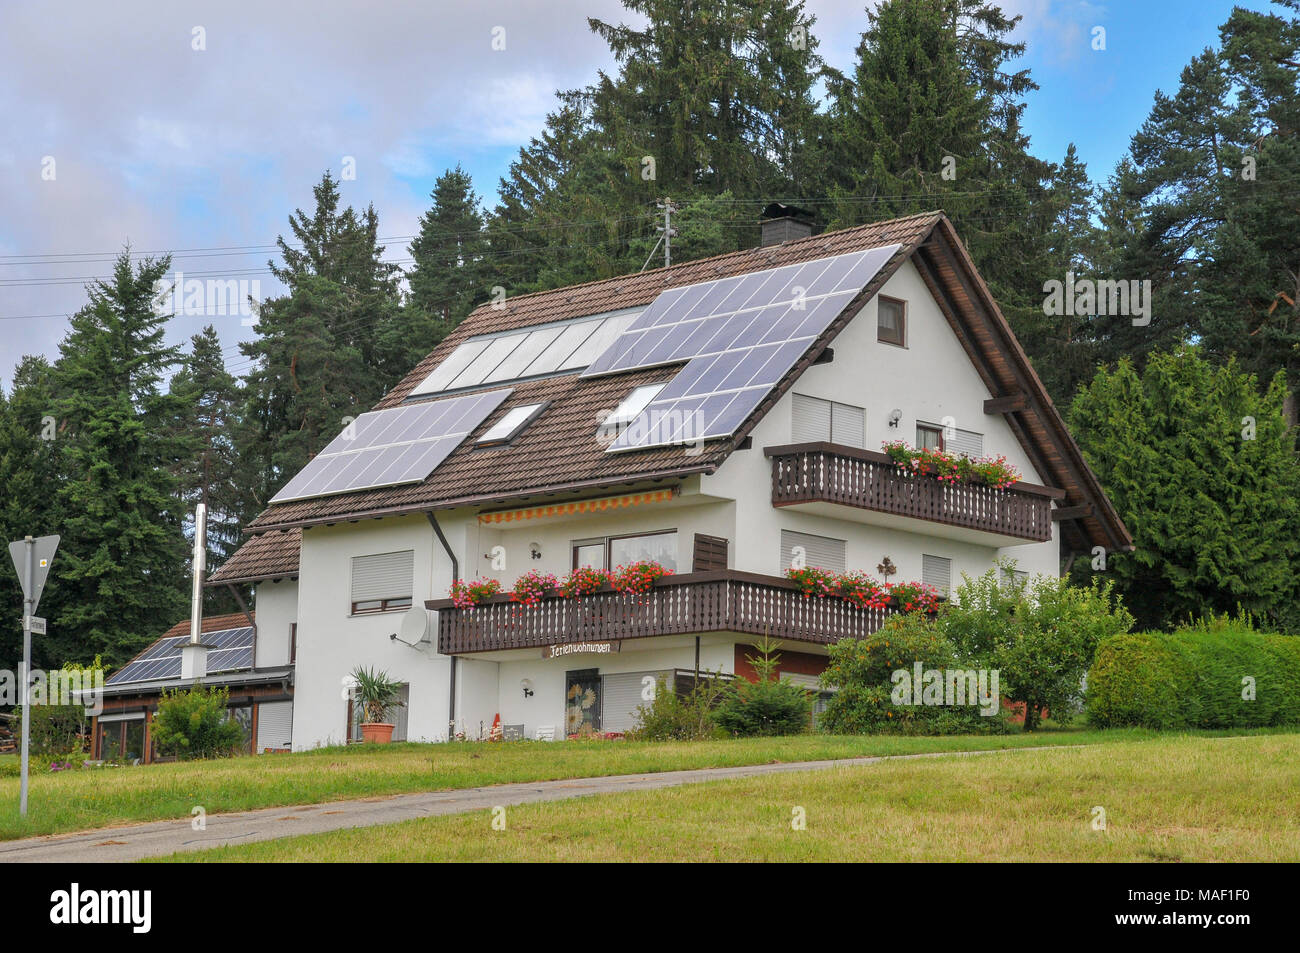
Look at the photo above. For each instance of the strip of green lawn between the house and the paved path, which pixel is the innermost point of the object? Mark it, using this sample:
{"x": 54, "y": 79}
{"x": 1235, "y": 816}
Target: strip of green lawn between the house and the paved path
{"x": 80, "y": 800}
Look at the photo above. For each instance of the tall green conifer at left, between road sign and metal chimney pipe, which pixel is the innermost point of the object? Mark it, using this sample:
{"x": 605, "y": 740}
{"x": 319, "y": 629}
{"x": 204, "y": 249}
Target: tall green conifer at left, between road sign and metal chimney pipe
{"x": 119, "y": 565}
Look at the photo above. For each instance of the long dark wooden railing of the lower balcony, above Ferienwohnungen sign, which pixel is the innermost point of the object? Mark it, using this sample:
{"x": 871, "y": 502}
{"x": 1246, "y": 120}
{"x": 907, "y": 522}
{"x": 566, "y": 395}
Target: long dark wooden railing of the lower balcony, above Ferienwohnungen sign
{"x": 692, "y": 604}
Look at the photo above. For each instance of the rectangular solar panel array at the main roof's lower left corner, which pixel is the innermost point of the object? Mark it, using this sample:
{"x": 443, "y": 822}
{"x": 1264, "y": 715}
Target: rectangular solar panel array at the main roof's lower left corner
{"x": 401, "y": 445}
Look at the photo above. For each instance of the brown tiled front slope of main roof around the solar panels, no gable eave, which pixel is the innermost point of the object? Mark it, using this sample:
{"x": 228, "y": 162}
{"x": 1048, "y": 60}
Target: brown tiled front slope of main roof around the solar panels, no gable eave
{"x": 560, "y": 452}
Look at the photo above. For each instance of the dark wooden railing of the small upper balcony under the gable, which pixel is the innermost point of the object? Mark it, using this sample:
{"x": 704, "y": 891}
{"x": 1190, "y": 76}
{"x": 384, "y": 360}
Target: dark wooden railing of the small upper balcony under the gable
{"x": 870, "y": 480}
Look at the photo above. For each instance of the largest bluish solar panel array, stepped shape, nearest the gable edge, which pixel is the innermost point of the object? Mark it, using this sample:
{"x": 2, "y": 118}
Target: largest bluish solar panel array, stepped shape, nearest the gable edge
{"x": 740, "y": 337}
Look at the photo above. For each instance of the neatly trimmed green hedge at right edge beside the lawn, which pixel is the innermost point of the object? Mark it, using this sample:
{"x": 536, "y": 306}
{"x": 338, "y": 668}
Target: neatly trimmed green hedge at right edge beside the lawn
{"x": 1194, "y": 679}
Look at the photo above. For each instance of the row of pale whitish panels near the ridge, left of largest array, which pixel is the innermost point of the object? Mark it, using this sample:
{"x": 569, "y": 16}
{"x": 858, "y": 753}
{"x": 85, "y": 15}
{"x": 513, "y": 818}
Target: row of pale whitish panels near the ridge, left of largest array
{"x": 530, "y": 353}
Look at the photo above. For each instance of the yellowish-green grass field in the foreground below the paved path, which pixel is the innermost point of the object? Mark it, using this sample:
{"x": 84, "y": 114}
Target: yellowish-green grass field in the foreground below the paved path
{"x": 1173, "y": 799}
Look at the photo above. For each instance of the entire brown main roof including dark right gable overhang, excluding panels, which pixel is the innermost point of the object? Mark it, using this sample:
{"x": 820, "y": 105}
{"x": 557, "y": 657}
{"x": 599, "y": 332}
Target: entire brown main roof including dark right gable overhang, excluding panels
{"x": 560, "y": 453}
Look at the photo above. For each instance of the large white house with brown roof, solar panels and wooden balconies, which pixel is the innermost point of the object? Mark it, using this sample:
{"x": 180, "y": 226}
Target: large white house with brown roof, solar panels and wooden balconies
{"x": 722, "y": 418}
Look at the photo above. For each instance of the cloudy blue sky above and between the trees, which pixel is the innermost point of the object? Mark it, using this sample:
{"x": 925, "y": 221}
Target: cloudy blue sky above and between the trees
{"x": 202, "y": 129}
